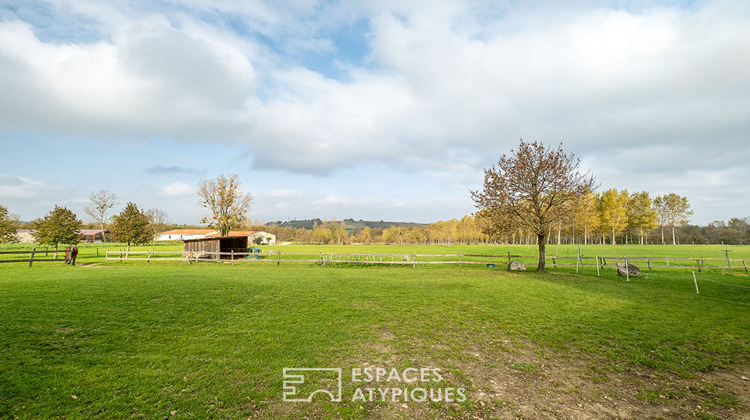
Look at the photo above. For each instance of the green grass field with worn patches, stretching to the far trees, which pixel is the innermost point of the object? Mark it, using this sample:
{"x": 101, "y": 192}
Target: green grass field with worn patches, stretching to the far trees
{"x": 172, "y": 339}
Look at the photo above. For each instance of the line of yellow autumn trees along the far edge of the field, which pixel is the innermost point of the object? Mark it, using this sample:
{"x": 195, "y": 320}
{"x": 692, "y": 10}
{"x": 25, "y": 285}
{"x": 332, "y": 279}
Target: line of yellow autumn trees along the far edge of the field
{"x": 610, "y": 217}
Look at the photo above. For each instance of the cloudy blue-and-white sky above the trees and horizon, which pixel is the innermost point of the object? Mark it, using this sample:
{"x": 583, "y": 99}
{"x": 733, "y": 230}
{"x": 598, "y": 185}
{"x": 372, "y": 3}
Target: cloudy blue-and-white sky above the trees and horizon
{"x": 373, "y": 109}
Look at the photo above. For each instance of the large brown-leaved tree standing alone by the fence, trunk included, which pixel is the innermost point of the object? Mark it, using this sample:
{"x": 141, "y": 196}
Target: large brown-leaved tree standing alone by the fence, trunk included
{"x": 530, "y": 187}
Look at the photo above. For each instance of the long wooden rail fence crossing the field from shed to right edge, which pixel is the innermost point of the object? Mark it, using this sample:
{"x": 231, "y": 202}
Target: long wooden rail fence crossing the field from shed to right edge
{"x": 323, "y": 258}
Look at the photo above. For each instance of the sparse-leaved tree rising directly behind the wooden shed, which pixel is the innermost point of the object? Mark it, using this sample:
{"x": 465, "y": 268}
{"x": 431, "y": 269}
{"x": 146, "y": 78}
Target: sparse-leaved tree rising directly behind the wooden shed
{"x": 227, "y": 203}
